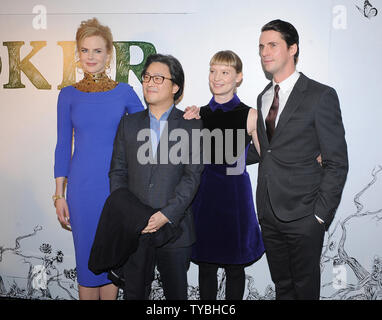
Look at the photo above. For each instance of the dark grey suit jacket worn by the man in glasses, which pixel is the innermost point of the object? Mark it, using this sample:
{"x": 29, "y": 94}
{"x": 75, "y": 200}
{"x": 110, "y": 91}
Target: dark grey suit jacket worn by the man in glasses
{"x": 170, "y": 187}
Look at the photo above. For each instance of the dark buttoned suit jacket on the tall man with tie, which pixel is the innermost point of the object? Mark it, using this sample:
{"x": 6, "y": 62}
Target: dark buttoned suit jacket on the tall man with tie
{"x": 309, "y": 125}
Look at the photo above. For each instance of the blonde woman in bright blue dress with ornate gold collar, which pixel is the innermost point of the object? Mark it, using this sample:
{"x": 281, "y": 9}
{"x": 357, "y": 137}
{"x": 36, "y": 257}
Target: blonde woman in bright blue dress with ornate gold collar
{"x": 91, "y": 109}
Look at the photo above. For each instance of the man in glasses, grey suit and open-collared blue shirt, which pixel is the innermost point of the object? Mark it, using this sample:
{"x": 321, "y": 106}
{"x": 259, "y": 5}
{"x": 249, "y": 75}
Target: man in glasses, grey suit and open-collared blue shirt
{"x": 169, "y": 186}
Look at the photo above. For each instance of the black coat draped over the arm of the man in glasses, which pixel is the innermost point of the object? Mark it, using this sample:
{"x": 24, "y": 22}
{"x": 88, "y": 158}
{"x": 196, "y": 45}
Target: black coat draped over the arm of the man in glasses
{"x": 122, "y": 219}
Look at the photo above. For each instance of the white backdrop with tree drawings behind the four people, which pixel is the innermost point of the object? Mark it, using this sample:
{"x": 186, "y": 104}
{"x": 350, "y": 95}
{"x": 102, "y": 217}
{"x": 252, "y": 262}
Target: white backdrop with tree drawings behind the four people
{"x": 340, "y": 45}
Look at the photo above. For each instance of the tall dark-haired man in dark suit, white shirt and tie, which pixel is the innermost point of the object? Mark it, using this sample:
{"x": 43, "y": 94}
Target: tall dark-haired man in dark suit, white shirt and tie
{"x": 298, "y": 119}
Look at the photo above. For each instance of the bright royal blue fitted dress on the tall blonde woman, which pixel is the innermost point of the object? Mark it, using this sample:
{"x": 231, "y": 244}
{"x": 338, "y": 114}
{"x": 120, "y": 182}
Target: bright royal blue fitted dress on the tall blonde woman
{"x": 94, "y": 117}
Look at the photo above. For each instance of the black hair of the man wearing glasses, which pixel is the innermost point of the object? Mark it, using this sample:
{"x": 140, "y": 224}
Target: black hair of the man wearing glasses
{"x": 176, "y": 70}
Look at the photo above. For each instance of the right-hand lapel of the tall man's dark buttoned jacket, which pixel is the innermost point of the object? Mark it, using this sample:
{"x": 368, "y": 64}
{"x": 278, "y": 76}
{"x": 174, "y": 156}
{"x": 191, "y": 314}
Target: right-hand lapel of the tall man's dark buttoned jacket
{"x": 293, "y": 102}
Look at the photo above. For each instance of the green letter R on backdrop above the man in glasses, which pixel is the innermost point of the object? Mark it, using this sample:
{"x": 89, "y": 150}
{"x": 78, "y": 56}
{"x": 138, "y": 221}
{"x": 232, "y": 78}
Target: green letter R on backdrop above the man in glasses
{"x": 122, "y": 49}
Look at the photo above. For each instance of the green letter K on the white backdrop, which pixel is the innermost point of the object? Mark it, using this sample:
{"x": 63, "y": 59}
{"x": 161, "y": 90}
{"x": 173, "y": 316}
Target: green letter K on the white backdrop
{"x": 15, "y": 66}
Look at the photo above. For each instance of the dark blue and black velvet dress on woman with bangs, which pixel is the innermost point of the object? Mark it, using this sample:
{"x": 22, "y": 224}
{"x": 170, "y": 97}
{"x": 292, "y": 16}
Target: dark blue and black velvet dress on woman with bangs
{"x": 227, "y": 230}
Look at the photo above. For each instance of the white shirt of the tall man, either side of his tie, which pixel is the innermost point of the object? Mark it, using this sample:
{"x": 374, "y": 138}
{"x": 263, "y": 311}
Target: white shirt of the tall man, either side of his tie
{"x": 286, "y": 88}
